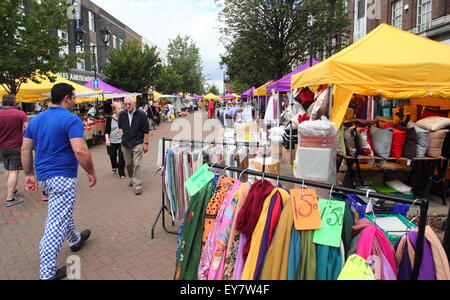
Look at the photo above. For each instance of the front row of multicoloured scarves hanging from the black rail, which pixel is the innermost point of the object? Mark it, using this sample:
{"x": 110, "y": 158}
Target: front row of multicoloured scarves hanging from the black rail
{"x": 240, "y": 231}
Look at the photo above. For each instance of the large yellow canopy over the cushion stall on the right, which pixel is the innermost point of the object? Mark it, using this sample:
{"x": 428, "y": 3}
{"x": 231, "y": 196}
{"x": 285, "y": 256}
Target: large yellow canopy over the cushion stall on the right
{"x": 387, "y": 62}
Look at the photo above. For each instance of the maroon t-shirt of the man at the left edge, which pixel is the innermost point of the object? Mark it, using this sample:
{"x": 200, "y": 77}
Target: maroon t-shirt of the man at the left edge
{"x": 11, "y": 127}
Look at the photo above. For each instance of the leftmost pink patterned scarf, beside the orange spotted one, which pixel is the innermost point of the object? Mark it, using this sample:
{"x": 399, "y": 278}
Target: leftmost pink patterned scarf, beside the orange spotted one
{"x": 208, "y": 252}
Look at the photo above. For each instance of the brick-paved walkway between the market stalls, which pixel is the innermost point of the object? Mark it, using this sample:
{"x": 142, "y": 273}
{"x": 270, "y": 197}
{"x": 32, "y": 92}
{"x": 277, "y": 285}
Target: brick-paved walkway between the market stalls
{"x": 120, "y": 246}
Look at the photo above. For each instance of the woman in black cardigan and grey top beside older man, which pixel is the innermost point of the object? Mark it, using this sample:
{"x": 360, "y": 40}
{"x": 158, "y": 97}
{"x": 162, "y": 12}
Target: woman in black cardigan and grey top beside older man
{"x": 114, "y": 141}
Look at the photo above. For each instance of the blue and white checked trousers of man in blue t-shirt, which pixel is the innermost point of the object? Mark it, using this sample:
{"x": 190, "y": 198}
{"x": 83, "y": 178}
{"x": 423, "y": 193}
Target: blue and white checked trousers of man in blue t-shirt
{"x": 59, "y": 225}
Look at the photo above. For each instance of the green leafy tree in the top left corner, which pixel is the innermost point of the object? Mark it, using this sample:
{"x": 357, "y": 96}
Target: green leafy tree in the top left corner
{"x": 30, "y": 50}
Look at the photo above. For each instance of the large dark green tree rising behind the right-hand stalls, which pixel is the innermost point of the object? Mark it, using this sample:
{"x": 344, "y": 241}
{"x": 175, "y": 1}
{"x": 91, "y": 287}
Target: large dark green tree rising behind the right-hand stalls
{"x": 266, "y": 39}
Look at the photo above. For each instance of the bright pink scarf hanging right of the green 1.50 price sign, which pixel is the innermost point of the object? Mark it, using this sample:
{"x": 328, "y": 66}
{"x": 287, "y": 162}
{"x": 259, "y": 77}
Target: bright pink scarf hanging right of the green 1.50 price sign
{"x": 365, "y": 245}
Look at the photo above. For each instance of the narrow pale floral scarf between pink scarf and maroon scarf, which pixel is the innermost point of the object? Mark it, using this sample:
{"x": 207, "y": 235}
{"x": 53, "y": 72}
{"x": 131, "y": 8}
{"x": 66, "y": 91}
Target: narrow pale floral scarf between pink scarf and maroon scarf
{"x": 233, "y": 240}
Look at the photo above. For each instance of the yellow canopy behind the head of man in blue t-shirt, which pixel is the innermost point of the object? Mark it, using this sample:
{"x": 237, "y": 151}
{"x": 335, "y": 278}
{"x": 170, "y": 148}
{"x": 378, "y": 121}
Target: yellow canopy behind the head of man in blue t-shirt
{"x": 32, "y": 92}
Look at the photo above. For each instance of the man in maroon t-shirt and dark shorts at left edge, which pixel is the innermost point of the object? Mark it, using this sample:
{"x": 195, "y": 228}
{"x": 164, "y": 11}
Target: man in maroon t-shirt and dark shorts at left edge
{"x": 12, "y": 123}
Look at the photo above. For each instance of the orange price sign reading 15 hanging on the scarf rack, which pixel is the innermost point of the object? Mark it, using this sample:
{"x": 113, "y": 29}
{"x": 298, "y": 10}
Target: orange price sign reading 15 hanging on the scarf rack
{"x": 306, "y": 210}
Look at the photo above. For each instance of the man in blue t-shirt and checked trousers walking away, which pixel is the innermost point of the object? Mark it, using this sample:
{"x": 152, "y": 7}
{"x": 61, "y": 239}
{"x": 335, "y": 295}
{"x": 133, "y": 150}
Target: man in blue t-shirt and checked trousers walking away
{"x": 57, "y": 137}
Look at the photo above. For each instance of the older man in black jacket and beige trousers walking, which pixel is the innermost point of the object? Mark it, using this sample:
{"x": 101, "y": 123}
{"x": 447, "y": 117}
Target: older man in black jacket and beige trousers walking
{"x": 134, "y": 128}
